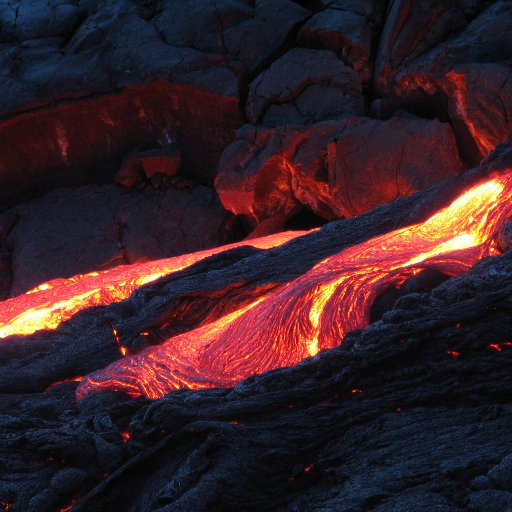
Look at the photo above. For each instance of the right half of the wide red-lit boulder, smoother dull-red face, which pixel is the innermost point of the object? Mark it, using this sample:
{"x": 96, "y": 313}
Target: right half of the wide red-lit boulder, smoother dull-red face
{"x": 374, "y": 162}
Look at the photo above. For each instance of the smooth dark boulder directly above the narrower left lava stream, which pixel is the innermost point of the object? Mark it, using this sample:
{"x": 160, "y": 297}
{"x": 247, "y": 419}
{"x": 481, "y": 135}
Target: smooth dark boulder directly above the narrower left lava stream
{"x": 68, "y": 232}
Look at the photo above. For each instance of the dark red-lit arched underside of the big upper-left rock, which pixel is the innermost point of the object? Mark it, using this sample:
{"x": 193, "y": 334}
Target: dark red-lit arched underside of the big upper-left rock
{"x": 85, "y": 141}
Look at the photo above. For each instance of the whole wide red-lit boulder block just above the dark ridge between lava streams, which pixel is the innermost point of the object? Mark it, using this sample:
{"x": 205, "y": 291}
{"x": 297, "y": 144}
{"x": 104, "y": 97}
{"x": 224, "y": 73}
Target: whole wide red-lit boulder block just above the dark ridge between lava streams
{"x": 336, "y": 169}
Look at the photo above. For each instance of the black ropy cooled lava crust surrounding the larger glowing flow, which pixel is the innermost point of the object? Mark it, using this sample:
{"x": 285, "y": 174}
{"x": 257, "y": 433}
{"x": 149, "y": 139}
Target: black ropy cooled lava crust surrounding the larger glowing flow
{"x": 392, "y": 420}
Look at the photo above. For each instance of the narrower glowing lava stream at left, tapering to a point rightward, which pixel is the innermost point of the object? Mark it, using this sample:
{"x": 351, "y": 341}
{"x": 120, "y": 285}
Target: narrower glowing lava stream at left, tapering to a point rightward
{"x": 51, "y": 303}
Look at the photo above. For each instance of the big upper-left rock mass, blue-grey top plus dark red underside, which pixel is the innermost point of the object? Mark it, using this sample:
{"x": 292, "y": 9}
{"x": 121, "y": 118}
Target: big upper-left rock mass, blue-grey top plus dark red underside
{"x": 72, "y": 107}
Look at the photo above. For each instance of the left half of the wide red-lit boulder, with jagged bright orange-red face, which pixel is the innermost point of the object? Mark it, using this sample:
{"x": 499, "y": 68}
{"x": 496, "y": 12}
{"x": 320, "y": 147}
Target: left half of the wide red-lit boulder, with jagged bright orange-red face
{"x": 270, "y": 172}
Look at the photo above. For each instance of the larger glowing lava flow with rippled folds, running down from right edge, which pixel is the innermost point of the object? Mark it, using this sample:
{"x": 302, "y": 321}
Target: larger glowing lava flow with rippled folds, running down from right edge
{"x": 316, "y": 310}
